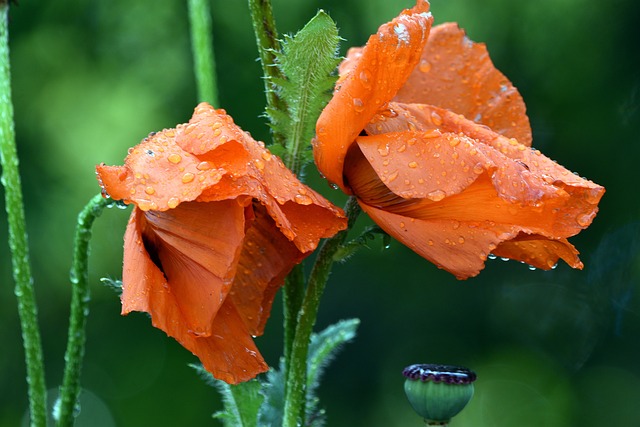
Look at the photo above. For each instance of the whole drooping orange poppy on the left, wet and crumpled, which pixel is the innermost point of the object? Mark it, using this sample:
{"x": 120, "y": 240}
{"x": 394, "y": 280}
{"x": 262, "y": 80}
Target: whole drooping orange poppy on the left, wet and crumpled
{"x": 217, "y": 225}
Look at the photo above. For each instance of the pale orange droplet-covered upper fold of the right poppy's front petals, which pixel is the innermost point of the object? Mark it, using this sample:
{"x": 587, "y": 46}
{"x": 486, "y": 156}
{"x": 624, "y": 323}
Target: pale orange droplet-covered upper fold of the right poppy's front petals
{"x": 519, "y": 174}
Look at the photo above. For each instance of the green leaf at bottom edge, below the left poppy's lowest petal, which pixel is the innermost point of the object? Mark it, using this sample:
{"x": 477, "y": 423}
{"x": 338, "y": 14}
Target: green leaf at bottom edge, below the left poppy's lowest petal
{"x": 241, "y": 401}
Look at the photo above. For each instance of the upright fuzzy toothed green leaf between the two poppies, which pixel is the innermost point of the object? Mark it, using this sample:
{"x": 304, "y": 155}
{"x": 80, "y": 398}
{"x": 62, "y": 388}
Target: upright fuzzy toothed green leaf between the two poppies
{"x": 307, "y": 63}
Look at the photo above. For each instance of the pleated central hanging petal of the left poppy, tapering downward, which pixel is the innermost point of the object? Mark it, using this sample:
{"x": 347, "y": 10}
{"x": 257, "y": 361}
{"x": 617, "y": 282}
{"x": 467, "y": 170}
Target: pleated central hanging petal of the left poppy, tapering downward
{"x": 197, "y": 246}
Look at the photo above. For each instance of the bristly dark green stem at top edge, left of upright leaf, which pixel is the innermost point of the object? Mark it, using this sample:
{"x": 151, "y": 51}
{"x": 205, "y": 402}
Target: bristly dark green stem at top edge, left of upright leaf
{"x": 264, "y": 27}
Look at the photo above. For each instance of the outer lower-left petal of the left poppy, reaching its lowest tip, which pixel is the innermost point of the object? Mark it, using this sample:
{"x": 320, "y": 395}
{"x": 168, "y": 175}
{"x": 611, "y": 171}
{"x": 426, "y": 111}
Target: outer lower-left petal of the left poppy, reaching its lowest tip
{"x": 228, "y": 353}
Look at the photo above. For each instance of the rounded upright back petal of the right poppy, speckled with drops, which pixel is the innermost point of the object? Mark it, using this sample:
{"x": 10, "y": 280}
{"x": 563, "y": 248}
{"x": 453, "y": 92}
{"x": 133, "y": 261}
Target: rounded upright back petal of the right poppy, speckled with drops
{"x": 457, "y": 74}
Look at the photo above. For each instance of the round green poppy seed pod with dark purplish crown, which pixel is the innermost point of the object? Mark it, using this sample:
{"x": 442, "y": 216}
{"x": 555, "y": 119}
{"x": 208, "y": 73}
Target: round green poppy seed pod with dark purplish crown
{"x": 438, "y": 392}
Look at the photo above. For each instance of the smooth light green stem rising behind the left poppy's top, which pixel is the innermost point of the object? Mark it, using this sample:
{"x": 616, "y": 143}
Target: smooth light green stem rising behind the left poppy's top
{"x": 202, "y": 46}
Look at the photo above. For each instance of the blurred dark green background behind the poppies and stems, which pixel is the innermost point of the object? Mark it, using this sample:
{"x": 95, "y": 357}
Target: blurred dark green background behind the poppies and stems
{"x": 559, "y": 348}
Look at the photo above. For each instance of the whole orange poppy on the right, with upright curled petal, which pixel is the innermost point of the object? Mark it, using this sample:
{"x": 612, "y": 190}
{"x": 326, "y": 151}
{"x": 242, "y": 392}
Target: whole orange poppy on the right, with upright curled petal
{"x": 434, "y": 142}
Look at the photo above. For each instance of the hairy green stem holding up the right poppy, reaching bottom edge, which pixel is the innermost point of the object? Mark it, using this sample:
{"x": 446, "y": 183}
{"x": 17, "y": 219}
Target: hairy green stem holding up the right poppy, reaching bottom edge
{"x": 297, "y": 376}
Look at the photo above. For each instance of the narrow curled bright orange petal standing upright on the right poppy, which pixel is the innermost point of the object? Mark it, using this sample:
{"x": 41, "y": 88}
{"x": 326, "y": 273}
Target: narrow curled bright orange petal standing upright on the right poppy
{"x": 383, "y": 67}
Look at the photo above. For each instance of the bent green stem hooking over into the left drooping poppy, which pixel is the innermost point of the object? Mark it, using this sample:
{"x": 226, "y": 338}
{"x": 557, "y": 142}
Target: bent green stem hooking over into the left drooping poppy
{"x": 67, "y": 405}
